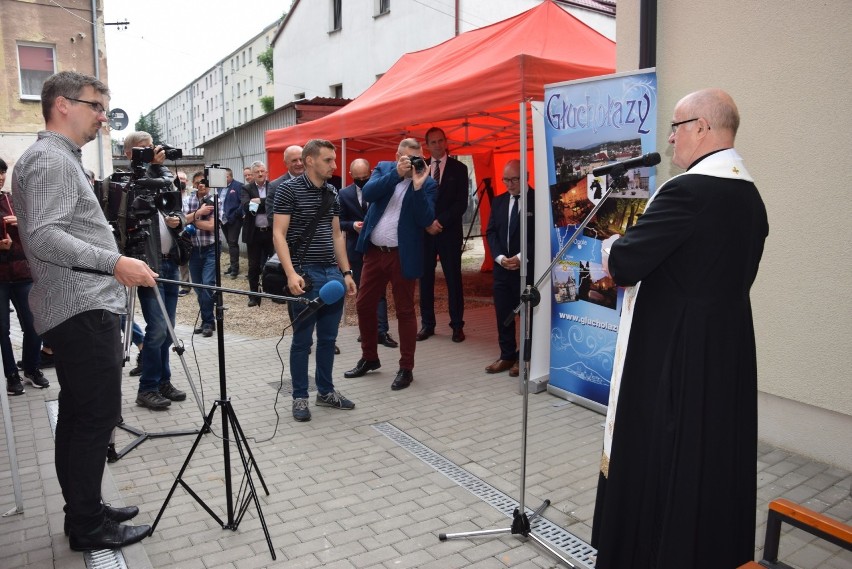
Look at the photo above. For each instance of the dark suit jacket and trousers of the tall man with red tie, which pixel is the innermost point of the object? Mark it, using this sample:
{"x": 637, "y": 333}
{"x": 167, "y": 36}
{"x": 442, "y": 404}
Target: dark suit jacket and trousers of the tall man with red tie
{"x": 450, "y": 204}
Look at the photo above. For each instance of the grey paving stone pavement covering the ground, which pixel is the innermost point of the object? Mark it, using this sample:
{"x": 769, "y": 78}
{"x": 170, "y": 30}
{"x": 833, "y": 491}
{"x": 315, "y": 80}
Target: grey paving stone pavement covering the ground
{"x": 342, "y": 494}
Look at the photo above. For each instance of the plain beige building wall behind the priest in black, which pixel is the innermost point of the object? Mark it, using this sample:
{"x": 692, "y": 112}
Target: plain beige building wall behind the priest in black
{"x": 786, "y": 65}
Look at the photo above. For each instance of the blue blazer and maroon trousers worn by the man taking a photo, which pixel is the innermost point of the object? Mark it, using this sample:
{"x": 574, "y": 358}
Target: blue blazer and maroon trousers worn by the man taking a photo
{"x": 400, "y": 266}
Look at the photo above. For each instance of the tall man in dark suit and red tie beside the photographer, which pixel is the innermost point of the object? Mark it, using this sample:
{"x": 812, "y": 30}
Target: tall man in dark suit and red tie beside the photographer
{"x": 444, "y": 237}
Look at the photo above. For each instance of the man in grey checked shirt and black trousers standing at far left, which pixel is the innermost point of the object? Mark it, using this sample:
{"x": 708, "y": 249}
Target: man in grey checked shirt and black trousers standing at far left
{"x": 62, "y": 228}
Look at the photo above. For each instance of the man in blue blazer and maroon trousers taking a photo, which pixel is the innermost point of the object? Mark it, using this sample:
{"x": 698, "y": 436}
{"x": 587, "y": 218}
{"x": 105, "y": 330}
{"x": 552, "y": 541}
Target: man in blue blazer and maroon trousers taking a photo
{"x": 402, "y": 199}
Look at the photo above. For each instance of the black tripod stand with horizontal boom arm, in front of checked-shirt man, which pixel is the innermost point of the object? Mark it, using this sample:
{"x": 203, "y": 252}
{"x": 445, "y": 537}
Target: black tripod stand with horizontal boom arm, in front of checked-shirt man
{"x": 247, "y": 492}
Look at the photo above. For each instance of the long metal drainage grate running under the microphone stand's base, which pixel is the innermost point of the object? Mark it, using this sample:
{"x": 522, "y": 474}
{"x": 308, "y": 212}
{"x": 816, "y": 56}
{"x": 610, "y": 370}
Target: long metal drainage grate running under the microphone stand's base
{"x": 543, "y": 528}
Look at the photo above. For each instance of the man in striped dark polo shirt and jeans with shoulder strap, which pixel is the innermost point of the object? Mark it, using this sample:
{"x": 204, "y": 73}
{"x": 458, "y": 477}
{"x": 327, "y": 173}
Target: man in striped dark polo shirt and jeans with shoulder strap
{"x": 321, "y": 258}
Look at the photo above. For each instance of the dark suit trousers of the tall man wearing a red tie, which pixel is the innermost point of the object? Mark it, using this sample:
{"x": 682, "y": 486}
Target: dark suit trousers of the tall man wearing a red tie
{"x": 447, "y": 246}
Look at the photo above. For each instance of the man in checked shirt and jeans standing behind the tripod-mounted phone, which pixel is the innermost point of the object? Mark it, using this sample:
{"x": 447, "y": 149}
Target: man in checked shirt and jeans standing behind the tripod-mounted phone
{"x": 202, "y": 261}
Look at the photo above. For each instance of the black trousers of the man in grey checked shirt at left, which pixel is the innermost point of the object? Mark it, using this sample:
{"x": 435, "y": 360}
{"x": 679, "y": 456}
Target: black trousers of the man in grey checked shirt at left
{"x": 88, "y": 354}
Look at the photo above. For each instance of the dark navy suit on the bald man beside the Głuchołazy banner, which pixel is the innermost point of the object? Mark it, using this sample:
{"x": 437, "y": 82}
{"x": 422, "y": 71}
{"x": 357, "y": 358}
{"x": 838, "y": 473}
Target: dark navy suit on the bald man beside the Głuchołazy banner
{"x": 507, "y": 283}
